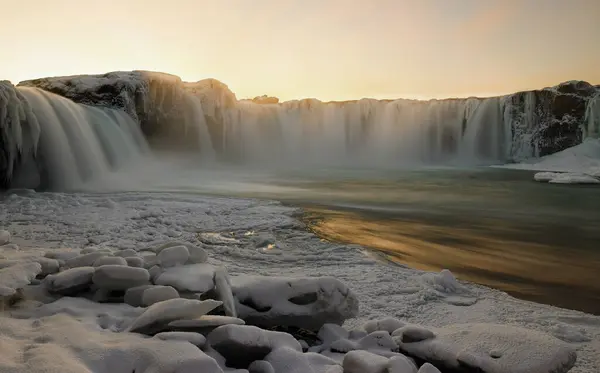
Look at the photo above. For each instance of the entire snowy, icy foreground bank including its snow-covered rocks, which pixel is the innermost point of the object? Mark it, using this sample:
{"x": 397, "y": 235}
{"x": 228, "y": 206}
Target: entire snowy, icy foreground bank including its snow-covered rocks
{"x": 406, "y": 316}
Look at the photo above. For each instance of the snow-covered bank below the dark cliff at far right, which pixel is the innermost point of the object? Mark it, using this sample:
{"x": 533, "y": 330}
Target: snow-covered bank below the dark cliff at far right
{"x": 576, "y": 165}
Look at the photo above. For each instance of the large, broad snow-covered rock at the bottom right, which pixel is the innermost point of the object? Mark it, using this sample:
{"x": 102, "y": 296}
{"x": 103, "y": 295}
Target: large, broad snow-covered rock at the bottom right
{"x": 468, "y": 347}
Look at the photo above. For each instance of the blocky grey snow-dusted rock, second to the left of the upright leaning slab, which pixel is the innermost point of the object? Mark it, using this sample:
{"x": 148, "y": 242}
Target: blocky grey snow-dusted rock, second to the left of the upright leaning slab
{"x": 116, "y": 277}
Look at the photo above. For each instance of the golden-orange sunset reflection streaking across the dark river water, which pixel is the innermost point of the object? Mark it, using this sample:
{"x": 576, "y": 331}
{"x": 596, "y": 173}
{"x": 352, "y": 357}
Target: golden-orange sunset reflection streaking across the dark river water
{"x": 483, "y": 253}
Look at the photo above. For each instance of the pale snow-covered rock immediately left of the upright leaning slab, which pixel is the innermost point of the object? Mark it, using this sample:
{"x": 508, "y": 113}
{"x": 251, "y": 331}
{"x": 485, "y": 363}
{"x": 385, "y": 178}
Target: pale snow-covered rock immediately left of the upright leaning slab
{"x": 195, "y": 278}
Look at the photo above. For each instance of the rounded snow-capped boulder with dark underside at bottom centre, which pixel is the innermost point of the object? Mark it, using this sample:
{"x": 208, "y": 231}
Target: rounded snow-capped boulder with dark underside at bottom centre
{"x": 240, "y": 345}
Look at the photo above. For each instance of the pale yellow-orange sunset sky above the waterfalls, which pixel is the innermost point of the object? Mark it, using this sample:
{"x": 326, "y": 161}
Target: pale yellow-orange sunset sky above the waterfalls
{"x": 327, "y": 49}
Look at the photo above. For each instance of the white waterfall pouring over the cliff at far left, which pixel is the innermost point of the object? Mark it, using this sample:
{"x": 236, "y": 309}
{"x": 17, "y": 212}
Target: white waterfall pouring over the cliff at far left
{"x": 78, "y": 143}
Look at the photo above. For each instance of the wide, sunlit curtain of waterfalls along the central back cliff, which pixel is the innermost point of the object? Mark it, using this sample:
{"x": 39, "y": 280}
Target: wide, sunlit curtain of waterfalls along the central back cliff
{"x": 368, "y": 132}
